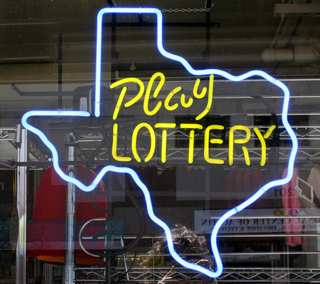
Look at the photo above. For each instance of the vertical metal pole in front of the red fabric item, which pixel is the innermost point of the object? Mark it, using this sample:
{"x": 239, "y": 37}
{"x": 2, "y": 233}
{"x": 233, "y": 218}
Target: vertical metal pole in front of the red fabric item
{"x": 70, "y": 218}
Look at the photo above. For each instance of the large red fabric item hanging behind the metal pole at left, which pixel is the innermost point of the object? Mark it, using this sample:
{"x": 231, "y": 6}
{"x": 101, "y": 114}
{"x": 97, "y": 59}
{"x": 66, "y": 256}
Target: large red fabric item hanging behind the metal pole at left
{"x": 46, "y": 233}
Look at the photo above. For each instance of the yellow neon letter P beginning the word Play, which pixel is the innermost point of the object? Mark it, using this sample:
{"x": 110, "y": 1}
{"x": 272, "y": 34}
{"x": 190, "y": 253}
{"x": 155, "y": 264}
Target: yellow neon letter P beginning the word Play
{"x": 123, "y": 92}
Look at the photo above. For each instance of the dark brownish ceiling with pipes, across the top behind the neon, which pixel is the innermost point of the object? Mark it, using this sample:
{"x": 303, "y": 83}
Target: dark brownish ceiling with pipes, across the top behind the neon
{"x": 240, "y": 35}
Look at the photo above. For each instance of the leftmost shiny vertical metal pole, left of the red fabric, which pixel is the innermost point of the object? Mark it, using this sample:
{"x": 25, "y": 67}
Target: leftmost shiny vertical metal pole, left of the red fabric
{"x": 21, "y": 265}
